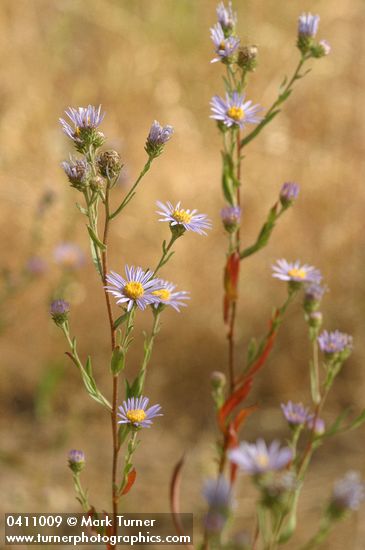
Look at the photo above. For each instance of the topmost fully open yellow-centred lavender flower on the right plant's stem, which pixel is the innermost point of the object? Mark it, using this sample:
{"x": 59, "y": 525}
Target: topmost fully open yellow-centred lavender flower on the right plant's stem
{"x": 234, "y": 110}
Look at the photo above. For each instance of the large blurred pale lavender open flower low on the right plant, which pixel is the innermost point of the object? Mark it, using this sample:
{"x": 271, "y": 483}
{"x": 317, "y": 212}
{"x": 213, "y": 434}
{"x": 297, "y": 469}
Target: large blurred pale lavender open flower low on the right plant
{"x": 258, "y": 458}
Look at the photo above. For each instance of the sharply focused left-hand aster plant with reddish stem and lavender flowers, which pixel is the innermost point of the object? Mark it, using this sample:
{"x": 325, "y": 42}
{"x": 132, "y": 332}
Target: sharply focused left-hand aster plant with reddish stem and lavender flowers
{"x": 93, "y": 174}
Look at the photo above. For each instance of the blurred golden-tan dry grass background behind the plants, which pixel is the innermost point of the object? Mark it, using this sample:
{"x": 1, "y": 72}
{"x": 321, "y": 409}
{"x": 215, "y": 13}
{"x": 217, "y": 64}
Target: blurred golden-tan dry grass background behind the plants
{"x": 144, "y": 60}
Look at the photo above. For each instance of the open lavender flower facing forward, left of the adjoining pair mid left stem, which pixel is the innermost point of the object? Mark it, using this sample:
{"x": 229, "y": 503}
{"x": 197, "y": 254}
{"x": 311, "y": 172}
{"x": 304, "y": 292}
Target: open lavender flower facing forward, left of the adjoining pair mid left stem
{"x": 135, "y": 289}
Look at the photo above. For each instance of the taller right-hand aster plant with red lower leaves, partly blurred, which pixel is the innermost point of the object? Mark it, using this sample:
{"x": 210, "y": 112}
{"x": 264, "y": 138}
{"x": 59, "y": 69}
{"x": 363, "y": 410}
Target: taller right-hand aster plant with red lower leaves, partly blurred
{"x": 277, "y": 470}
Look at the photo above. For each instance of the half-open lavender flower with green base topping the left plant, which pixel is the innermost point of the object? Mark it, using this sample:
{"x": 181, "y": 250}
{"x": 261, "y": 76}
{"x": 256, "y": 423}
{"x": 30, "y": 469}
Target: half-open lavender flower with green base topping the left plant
{"x": 85, "y": 120}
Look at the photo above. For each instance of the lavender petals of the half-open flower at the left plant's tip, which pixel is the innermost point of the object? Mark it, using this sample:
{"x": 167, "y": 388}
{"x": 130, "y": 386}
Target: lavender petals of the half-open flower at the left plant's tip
{"x": 83, "y": 118}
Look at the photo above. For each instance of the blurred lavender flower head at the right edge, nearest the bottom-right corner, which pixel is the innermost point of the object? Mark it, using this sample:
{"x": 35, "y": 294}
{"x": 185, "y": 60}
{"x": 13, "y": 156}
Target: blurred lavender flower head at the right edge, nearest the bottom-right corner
{"x": 348, "y": 493}
